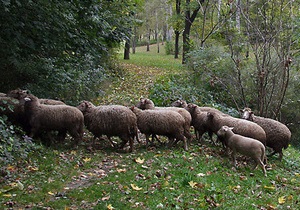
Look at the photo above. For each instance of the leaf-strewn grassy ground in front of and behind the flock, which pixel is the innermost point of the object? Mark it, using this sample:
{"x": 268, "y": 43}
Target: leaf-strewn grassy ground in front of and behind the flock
{"x": 155, "y": 178}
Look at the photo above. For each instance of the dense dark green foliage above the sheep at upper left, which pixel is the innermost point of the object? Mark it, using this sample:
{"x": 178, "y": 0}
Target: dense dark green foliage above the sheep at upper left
{"x": 60, "y": 48}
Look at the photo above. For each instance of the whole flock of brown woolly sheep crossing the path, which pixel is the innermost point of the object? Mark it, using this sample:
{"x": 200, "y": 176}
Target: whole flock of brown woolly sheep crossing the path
{"x": 249, "y": 136}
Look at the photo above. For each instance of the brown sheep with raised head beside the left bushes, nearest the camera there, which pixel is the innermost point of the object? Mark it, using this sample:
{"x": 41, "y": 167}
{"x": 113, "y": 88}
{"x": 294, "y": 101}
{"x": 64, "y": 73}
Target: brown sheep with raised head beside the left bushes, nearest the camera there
{"x": 61, "y": 118}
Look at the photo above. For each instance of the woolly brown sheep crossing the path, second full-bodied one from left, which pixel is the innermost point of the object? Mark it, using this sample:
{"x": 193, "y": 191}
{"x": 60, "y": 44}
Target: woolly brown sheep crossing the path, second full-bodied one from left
{"x": 110, "y": 120}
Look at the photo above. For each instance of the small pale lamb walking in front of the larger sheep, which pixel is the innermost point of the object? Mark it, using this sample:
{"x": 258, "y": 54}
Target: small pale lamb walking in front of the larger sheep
{"x": 244, "y": 145}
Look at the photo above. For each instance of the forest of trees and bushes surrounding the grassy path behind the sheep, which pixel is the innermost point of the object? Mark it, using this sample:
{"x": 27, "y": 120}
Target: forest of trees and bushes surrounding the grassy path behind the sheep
{"x": 234, "y": 54}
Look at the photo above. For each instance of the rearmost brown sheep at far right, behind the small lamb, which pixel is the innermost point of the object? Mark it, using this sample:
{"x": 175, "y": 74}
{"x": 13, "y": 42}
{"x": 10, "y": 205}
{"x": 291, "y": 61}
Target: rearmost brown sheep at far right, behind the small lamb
{"x": 278, "y": 134}
